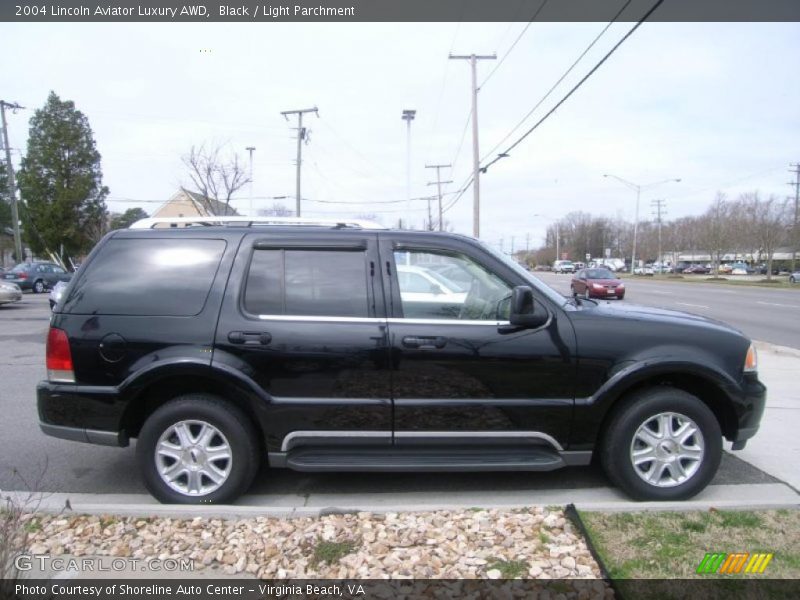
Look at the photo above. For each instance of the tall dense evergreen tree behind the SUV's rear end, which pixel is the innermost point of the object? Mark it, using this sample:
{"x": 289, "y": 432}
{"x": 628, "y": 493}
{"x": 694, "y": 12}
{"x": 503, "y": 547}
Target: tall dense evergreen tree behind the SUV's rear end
{"x": 60, "y": 181}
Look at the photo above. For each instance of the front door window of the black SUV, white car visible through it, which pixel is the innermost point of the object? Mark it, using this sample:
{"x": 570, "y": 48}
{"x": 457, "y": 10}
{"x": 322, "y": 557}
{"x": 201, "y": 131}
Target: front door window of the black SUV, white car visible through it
{"x": 436, "y": 285}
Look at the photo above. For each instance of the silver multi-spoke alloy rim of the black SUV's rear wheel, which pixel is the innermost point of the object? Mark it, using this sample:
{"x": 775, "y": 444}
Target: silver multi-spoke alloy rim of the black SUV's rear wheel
{"x": 193, "y": 458}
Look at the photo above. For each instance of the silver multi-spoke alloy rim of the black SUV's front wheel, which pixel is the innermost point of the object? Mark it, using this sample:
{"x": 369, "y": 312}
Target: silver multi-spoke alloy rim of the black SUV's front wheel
{"x": 667, "y": 449}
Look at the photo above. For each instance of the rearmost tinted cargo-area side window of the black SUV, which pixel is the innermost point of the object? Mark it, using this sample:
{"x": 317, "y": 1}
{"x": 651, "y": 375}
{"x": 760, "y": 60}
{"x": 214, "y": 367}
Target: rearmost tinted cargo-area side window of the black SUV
{"x": 153, "y": 277}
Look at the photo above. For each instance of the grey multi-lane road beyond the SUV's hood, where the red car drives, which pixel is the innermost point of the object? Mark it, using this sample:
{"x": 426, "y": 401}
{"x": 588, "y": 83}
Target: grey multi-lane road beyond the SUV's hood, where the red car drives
{"x": 761, "y": 313}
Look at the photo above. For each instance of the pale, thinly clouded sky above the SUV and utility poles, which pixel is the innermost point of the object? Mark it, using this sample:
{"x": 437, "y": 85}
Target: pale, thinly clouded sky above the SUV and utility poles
{"x": 714, "y": 104}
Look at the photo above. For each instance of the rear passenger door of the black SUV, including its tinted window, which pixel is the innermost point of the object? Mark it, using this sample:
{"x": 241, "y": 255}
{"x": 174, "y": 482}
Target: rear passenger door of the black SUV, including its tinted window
{"x": 304, "y": 322}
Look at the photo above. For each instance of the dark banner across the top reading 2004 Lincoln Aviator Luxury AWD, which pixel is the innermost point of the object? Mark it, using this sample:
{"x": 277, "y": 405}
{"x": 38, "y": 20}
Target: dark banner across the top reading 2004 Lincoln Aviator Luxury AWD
{"x": 397, "y": 10}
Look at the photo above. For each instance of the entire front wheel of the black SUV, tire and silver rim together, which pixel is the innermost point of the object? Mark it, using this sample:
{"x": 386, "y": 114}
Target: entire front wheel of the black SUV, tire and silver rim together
{"x": 663, "y": 407}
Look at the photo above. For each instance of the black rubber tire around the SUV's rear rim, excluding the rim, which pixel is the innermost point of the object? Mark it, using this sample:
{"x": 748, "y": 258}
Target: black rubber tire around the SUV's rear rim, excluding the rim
{"x": 226, "y": 417}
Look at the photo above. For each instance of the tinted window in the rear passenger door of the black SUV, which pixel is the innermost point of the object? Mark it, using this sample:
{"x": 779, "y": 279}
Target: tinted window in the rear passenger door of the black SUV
{"x": 321, "y": 283}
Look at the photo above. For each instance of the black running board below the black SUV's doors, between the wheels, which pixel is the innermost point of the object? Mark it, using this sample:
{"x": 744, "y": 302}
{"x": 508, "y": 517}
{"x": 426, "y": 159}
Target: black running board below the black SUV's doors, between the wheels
{"x": 412, "y": 459}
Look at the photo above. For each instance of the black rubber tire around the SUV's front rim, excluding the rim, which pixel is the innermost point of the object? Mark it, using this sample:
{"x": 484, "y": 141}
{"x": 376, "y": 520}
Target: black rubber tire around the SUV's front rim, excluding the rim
{"x": 636, "y": 410}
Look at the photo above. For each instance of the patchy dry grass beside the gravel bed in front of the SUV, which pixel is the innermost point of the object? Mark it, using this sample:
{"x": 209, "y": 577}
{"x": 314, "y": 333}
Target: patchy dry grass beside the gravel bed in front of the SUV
{"x": 665, "y": 545}
